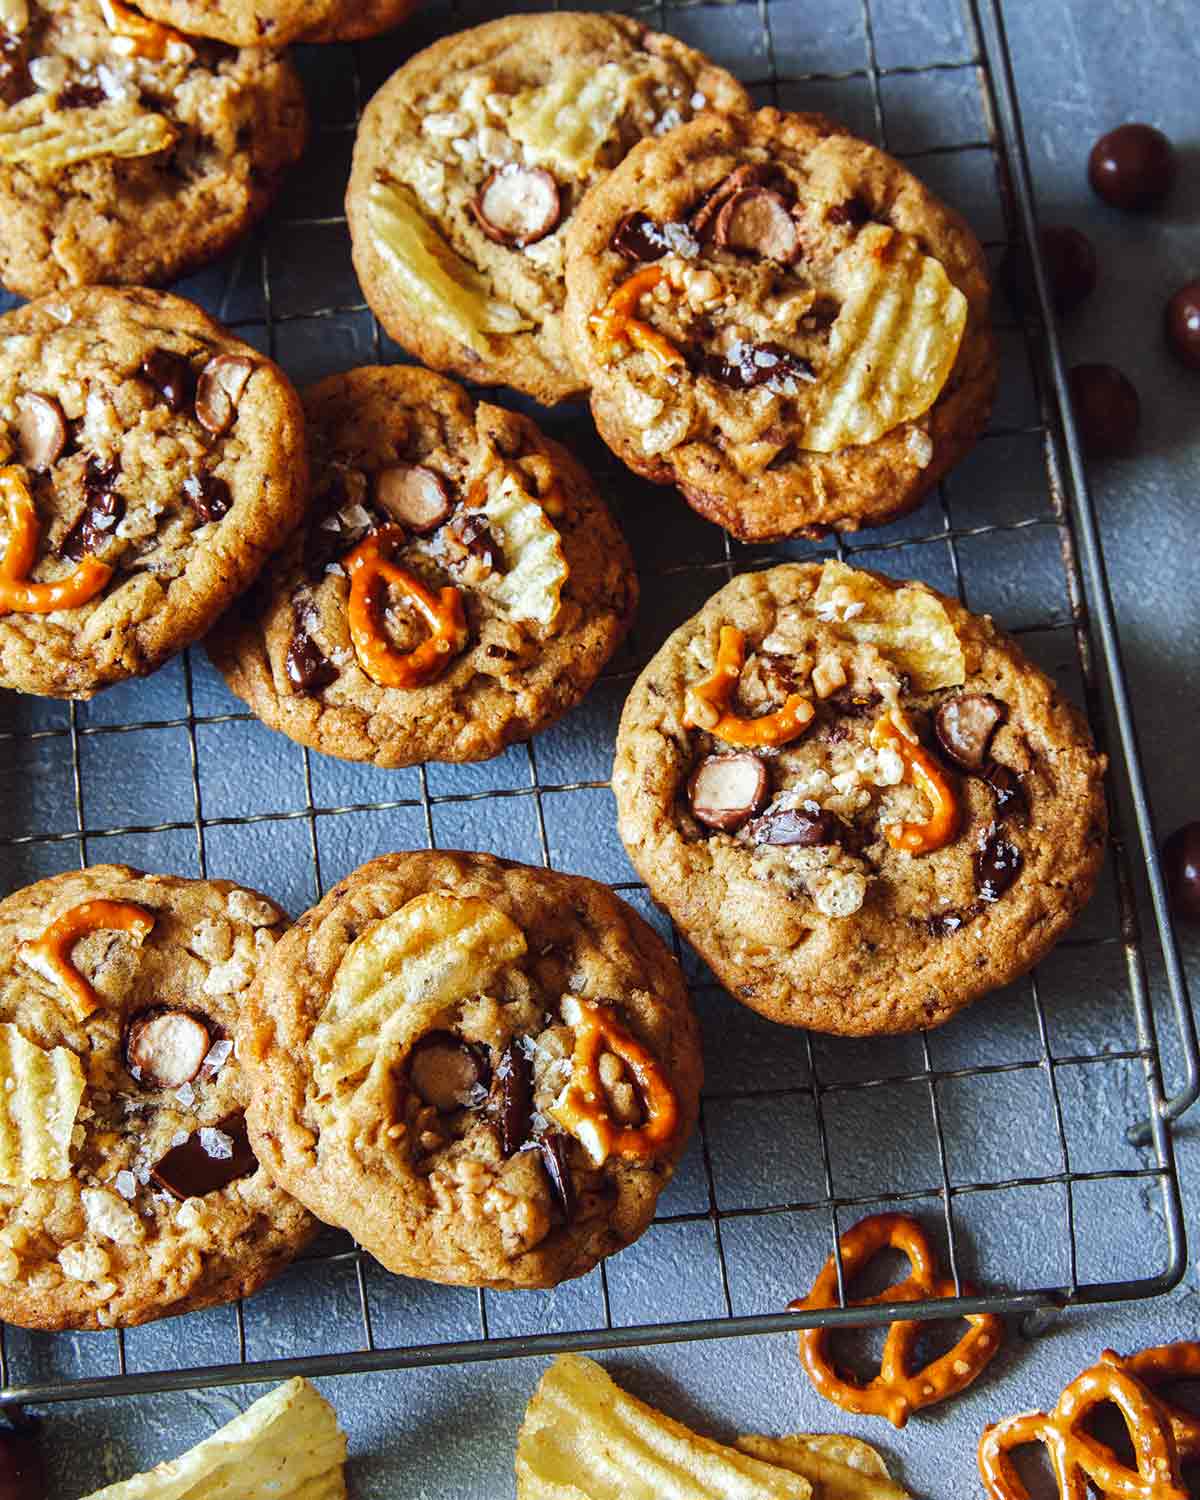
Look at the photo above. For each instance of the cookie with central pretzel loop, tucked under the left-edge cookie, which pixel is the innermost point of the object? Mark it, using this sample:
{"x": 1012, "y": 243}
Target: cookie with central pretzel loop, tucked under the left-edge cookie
{"x": 437, "y": 523}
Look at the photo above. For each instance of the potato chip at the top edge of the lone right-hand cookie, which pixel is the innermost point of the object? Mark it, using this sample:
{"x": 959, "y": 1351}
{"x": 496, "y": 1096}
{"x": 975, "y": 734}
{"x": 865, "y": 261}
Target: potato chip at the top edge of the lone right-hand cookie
{"x": 910, "y": 626}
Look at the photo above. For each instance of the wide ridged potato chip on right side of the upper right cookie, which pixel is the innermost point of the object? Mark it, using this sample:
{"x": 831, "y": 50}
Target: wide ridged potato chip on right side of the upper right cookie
{"x": 892, "y": 347}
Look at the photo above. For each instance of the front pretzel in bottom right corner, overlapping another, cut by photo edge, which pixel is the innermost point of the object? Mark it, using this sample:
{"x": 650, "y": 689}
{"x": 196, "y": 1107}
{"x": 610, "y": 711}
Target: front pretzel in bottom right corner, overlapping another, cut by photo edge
{"x": 1076, "y": 1457}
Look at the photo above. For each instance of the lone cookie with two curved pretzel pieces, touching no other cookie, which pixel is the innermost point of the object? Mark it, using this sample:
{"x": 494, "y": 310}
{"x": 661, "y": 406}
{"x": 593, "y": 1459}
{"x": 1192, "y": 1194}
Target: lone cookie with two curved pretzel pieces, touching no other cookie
{"x": 860, "y": 803}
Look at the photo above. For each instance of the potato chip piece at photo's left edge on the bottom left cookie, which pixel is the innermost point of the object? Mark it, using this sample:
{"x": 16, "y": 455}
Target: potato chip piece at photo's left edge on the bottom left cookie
{"x": 38, "y": 1106}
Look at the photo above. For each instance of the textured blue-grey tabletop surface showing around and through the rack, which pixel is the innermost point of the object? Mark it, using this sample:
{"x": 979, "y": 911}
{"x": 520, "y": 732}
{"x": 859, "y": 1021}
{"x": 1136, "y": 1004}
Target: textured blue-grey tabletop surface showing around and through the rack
{"x": 449, "y": 1433}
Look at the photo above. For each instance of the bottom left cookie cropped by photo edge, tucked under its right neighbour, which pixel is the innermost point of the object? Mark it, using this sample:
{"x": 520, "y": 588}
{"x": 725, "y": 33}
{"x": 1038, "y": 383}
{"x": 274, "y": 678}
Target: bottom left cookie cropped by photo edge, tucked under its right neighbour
{"x": 128, "y": 1187}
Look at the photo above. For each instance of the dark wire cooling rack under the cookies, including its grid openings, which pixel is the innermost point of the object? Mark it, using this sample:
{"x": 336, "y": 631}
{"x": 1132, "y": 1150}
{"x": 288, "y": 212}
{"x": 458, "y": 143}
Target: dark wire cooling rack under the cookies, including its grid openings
{"x": 1031, "y": 1135}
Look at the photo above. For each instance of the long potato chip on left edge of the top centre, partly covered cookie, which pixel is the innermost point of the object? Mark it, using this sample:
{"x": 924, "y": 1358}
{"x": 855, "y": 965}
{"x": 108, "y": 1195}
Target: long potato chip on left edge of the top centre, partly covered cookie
{"x": 439, "y": 283}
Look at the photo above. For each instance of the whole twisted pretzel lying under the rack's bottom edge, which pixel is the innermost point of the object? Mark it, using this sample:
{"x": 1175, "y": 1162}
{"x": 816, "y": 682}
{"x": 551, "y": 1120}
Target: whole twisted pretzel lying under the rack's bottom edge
{"x": 898, "y": 1391}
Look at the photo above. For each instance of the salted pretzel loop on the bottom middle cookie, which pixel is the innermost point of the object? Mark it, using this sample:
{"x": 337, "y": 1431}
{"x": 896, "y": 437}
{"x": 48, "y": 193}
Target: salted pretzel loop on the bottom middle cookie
{"x": 583, "y": 1111}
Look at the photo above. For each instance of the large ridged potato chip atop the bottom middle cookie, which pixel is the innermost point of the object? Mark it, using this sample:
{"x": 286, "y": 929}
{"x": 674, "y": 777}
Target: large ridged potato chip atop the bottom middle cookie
{"x": 401, "y": 974}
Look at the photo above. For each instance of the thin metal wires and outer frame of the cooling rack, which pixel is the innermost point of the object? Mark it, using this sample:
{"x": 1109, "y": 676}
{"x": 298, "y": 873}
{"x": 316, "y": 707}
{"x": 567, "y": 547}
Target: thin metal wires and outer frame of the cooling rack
{"x": 1091, "y": 623}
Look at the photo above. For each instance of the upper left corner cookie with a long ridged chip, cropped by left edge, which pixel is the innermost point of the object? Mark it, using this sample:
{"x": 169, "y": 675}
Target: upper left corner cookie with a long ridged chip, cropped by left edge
{"x": 131, "y": 154}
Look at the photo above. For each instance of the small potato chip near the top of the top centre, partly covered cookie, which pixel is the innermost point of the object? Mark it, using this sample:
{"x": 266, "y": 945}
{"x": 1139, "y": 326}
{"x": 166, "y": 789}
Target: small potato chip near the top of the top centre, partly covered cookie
{"x": 568, "y": 121}
